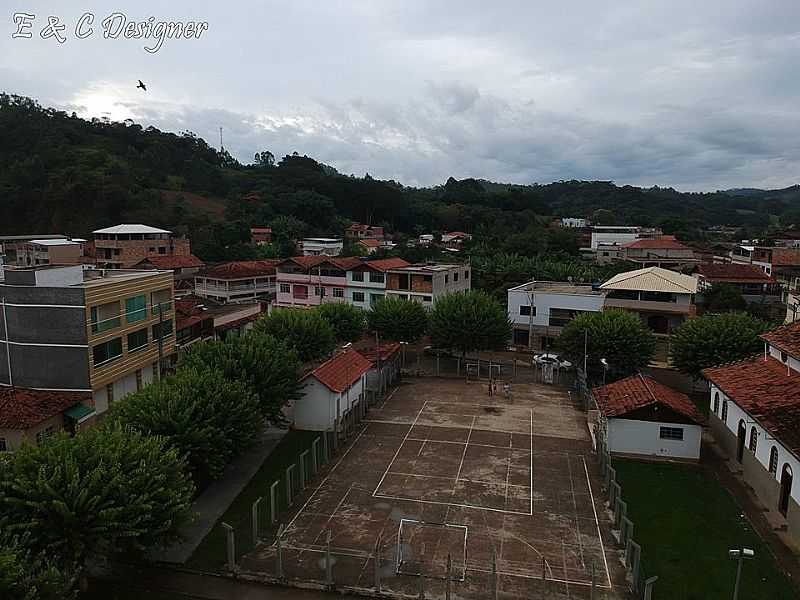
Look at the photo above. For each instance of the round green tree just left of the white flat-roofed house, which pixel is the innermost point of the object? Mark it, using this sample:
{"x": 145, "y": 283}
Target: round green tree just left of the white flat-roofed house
{"x": 468, "y": 322}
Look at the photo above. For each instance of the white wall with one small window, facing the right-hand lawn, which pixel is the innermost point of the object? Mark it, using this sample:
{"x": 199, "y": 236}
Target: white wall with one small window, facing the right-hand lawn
{"x": 628, "y": 436}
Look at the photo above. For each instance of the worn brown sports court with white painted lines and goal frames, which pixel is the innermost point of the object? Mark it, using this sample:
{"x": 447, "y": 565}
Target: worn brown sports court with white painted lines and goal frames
{"x": 442, "y": 469}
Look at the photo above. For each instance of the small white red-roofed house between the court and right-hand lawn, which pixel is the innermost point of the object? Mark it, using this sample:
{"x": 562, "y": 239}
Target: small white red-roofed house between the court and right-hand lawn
{"x": 641, "y": 417}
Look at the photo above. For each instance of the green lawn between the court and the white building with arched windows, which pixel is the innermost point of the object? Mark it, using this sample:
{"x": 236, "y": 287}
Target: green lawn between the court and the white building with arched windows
{"x": 686, "y": 522}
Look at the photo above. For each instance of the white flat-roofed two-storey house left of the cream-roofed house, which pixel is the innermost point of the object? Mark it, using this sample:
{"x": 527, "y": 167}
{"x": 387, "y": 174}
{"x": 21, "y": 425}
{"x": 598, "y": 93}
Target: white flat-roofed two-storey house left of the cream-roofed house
{"x": 554, "y": 304}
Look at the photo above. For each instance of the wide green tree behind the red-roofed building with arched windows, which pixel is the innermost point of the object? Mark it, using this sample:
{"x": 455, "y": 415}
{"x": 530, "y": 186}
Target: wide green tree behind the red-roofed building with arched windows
{"x": 712, "y": 340}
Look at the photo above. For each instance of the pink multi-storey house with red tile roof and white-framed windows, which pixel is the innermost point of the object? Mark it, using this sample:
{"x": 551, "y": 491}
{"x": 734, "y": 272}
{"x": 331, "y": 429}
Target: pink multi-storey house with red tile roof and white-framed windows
{"x": 312, "y": 280}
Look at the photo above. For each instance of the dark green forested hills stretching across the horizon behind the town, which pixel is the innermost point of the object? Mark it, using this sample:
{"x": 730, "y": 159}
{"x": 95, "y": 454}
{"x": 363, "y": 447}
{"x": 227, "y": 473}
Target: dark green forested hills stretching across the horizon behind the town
{"x": 60, "y": 173}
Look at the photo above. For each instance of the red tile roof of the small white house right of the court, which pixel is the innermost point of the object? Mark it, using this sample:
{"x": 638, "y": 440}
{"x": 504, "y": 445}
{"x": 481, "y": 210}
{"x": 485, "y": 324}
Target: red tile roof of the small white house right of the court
{"x": 638, "y": 391}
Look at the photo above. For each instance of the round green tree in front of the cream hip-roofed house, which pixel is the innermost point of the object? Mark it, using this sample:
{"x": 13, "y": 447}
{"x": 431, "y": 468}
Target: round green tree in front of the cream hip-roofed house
{"x": 615, "y": 335}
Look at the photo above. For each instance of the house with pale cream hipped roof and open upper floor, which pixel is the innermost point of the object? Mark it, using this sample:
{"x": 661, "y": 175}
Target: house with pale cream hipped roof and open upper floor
{"x": 663, "y": 299}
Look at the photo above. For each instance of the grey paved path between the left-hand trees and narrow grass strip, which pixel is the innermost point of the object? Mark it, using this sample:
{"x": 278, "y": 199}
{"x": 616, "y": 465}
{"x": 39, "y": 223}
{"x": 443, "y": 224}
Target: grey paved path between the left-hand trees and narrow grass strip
{"x": 217, "y": 497}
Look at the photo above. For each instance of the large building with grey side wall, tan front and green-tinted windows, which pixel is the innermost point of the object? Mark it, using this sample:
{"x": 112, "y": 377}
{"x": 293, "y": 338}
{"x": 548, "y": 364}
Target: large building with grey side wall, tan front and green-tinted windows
{"x": 99, "y": 332}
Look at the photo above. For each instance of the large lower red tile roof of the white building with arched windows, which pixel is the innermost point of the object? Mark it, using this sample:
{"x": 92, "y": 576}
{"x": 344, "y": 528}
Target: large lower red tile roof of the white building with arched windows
{"x": 767, "y": 391}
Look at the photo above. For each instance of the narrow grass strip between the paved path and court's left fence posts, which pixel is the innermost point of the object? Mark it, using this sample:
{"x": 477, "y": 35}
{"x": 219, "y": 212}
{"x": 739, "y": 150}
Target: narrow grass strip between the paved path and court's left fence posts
{"x": 210, "y": 554}
